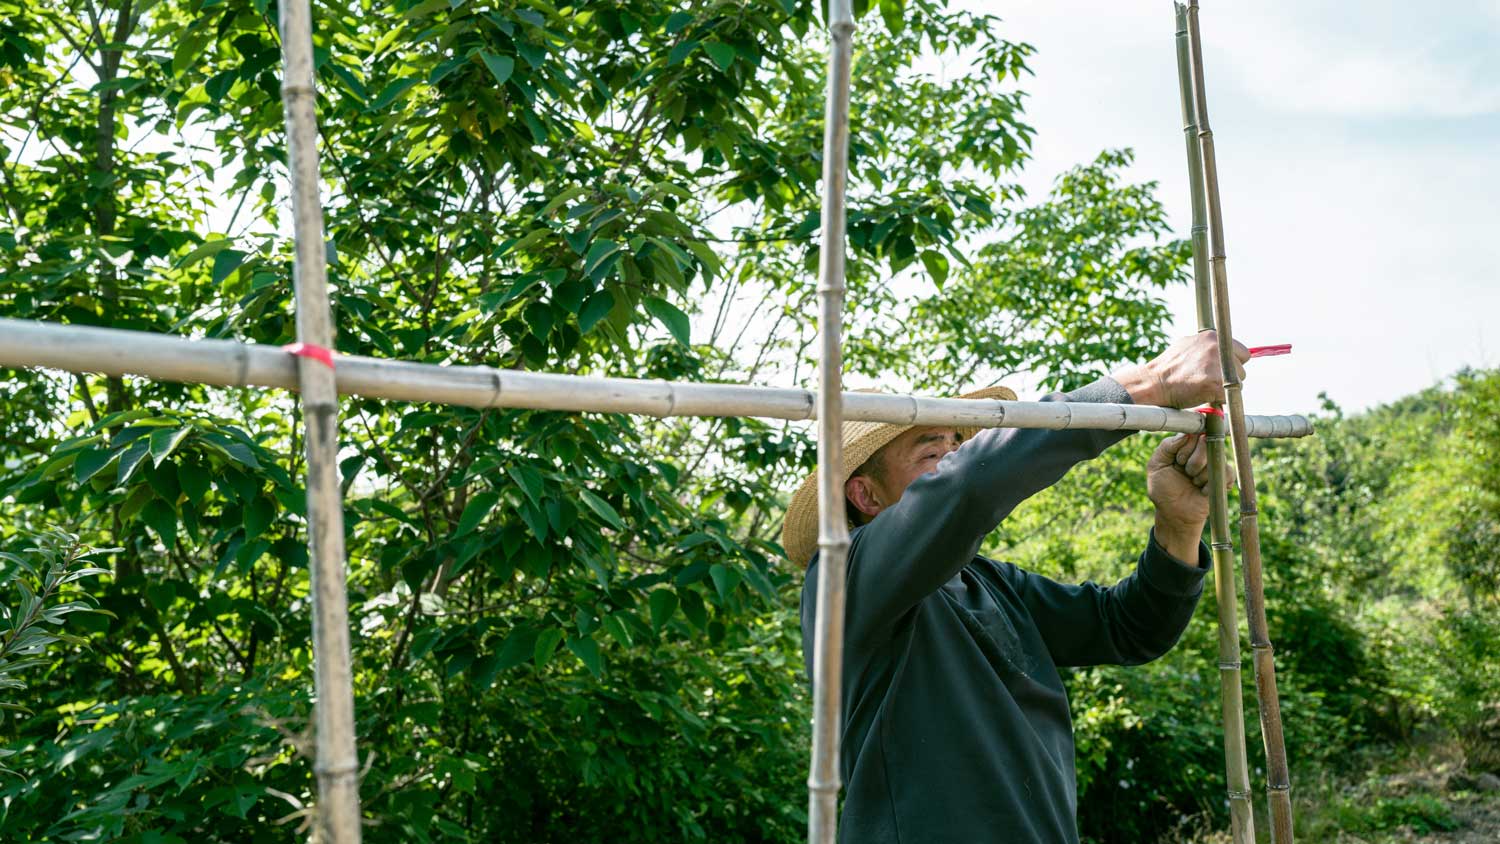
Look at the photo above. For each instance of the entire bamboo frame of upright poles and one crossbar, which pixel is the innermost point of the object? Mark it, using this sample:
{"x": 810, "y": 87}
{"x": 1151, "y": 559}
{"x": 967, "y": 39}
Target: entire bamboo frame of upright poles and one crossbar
{"x": 242, "y": 365}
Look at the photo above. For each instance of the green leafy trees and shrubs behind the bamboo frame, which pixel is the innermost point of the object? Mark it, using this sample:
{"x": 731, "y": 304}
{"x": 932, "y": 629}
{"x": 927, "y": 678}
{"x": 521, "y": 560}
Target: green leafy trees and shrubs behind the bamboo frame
{"x": 578, "y": 626}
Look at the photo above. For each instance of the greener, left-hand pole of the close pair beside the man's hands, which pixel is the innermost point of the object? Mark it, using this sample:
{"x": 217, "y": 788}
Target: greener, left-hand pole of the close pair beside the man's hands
{"x": 1237, "y": 771}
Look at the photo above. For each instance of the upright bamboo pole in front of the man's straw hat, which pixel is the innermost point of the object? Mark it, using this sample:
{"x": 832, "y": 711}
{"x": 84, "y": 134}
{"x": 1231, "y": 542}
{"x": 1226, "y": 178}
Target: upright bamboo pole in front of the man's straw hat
{"x": 833, "y": 531}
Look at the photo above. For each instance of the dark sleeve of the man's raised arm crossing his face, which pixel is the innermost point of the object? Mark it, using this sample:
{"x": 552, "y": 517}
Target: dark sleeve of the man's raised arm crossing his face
{"x": 935, "y": 530}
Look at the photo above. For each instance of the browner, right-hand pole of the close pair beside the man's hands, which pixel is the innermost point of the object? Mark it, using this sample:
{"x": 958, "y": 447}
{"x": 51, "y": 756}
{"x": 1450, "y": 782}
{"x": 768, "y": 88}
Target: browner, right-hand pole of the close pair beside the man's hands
{"x": 1279, "y": 783}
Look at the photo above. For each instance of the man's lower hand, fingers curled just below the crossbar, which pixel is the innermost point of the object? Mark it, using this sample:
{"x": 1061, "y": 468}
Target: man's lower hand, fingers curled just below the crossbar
{"x": 1178, "y": 485}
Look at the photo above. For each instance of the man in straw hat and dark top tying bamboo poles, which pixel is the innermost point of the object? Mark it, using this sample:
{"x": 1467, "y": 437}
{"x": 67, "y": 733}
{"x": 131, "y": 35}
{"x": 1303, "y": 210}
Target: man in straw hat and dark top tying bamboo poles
{"x": 956, "y": 720}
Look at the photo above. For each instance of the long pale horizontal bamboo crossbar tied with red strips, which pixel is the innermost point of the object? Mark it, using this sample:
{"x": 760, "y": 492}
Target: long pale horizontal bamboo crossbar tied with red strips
{"x": 230, "y": 364}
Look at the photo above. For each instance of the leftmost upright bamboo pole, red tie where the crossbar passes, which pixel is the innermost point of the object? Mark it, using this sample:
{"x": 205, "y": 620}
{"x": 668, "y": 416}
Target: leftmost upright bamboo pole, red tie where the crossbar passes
{"x": 337, "y": 767}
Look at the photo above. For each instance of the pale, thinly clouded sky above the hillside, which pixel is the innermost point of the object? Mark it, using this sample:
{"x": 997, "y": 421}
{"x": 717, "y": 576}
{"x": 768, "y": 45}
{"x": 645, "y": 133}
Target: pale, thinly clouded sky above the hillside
{"x": 1360, "y": 169}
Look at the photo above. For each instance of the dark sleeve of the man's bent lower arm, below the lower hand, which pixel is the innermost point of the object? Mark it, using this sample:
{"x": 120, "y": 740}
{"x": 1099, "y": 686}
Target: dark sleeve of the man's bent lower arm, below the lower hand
{"x": 1132, "y": 623}
